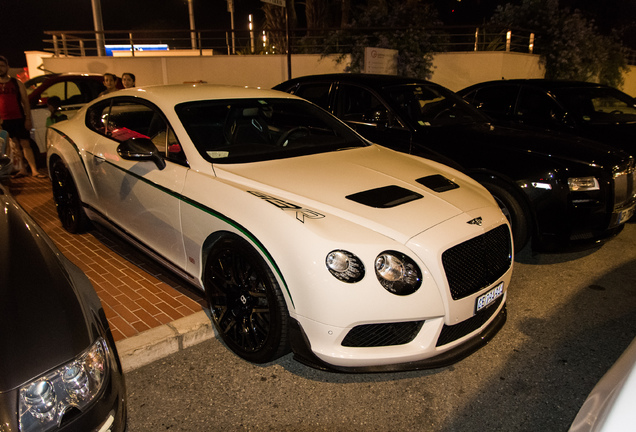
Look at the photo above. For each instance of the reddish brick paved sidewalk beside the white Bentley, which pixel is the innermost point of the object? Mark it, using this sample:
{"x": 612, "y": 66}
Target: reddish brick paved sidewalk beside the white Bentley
{"x": 137, "y": 294}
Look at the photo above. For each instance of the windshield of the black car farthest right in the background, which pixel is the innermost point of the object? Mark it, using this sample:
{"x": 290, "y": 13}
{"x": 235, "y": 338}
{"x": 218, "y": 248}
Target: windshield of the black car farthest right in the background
{"x": 597, "y": 105}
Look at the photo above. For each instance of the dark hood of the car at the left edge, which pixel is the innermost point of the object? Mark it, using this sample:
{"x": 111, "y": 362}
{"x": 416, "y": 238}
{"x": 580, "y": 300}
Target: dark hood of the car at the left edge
{"x": 43, "y": 323}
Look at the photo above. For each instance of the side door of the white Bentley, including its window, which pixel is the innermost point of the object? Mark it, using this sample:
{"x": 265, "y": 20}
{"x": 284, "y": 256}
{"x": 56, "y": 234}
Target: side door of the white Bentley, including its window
{"x": 139, "y": 197}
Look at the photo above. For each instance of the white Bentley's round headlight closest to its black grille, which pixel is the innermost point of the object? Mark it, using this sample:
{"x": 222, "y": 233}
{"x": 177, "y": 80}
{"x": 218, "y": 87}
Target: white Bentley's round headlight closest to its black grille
{"x": 398, "y": 273}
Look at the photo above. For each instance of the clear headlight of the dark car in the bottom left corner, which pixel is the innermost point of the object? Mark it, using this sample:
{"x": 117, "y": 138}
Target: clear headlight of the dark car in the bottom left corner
{"x": 44, "y": 401}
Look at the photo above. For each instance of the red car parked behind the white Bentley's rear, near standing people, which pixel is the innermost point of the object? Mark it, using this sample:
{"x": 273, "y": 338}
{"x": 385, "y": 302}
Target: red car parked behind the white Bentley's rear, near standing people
{"x": 73, "y": 89}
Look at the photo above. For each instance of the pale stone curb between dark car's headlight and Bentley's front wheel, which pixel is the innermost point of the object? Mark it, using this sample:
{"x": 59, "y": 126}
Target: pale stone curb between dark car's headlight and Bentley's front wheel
{"x": 159, "y": 342}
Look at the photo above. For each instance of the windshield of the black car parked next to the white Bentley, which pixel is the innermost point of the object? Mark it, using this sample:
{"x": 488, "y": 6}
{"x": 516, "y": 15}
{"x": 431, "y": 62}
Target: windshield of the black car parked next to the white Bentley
{"x": 432, "y": 106}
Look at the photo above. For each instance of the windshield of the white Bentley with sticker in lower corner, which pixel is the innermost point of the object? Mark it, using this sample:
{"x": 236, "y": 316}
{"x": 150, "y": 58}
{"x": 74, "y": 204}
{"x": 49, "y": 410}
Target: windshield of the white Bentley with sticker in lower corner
{"x": 247, "y": 130}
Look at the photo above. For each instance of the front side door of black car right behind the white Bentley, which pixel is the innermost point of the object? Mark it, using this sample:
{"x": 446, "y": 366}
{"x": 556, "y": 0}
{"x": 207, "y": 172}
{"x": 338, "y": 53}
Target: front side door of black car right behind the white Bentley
{"x": 365, "y": 112}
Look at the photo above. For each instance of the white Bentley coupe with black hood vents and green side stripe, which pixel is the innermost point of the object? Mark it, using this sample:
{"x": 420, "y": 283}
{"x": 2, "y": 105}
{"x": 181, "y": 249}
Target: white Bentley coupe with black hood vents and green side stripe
{"x": 301, "y": 233}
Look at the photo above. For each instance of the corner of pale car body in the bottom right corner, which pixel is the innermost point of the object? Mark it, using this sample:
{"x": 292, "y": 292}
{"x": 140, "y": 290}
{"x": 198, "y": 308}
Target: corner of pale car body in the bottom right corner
{"x": 610, "y": 405}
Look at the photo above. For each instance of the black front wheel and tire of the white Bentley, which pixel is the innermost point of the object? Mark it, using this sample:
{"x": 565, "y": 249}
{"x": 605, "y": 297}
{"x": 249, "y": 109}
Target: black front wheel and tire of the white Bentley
{"x": 246, "y": 303}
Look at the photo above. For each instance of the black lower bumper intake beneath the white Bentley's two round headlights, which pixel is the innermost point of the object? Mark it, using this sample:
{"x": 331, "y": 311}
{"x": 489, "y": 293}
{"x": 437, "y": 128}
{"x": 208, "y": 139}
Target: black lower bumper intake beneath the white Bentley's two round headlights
{"x": 387, "y": 334}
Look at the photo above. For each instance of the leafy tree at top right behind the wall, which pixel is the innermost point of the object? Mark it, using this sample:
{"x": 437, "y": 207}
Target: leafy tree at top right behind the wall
{"x": 570, "y": 45}
